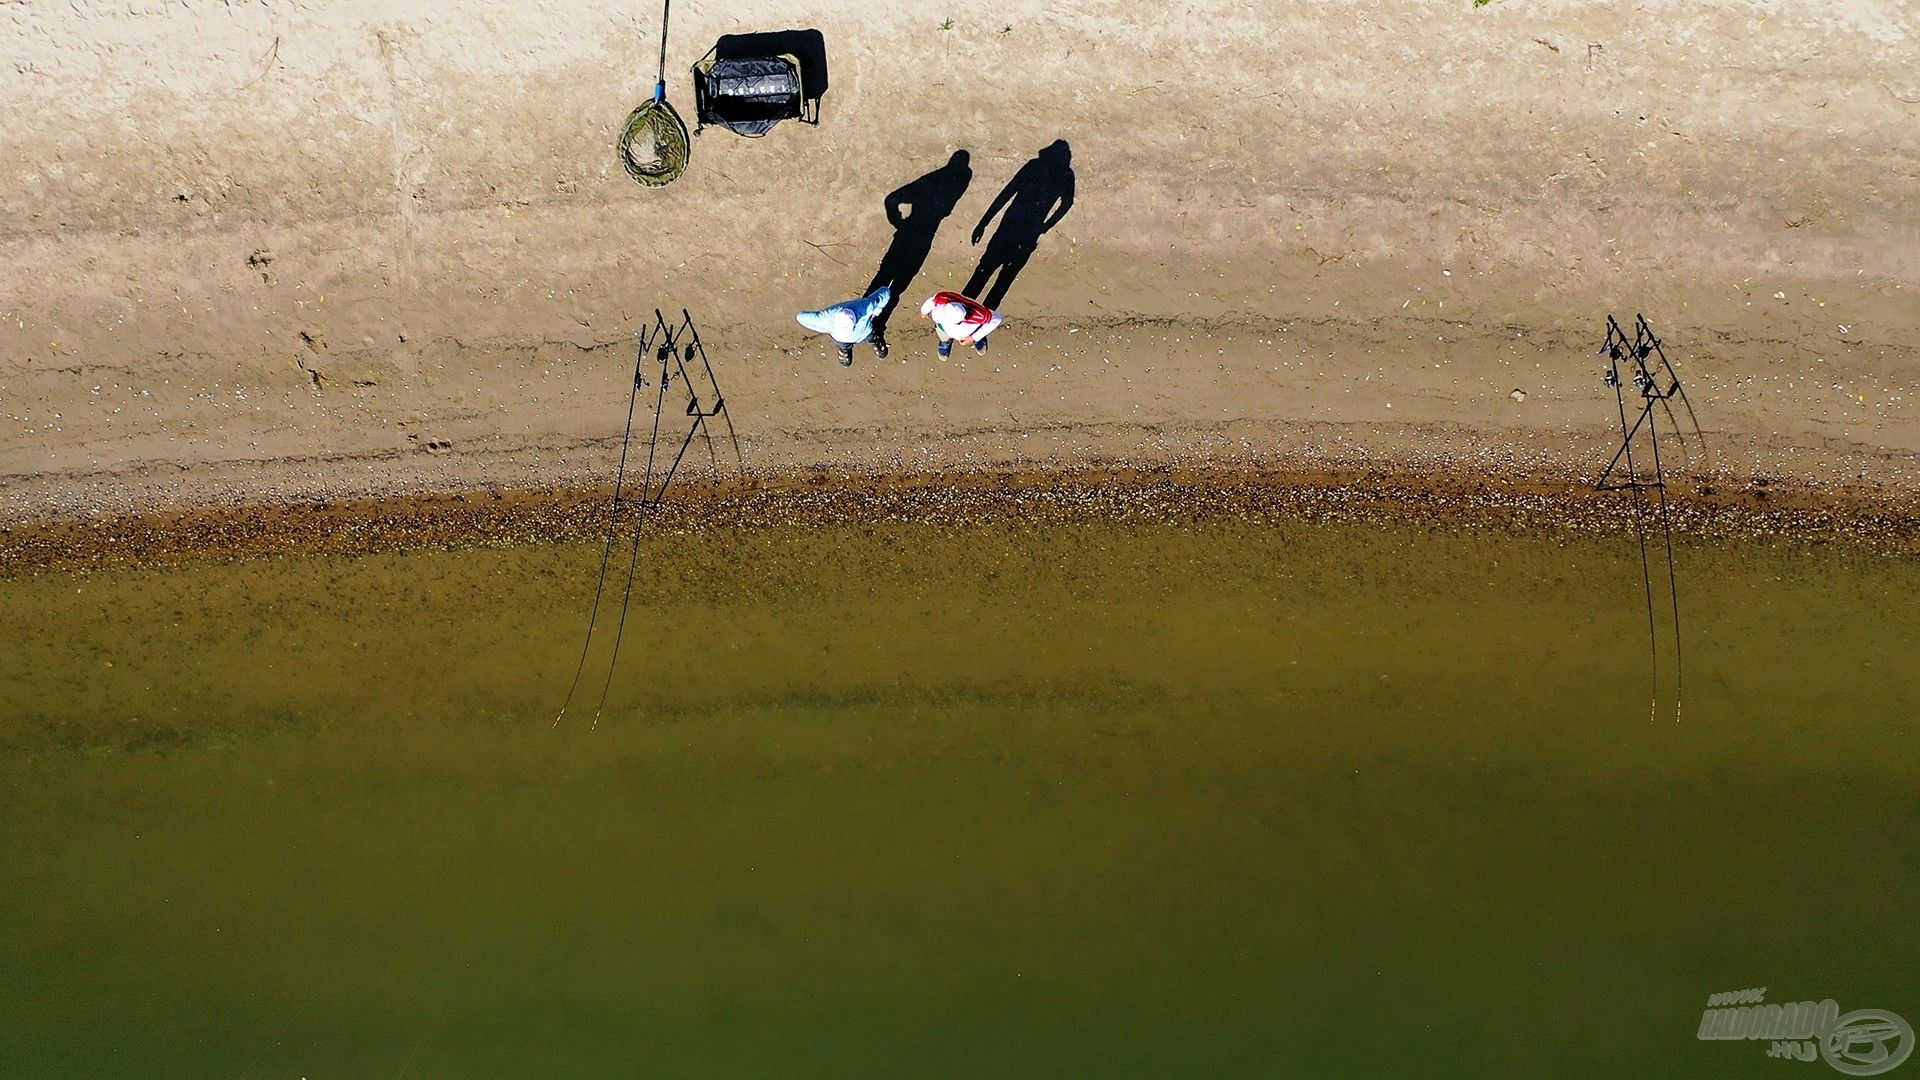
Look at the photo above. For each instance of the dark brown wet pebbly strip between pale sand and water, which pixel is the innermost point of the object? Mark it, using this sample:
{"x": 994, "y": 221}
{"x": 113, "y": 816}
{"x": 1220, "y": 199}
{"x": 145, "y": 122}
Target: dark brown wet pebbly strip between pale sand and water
{"x": 508, "y": 516}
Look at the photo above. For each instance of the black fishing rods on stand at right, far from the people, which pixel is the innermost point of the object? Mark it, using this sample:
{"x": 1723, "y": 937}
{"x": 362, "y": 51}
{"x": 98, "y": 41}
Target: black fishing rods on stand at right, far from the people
{"x": 1646, "y": 381}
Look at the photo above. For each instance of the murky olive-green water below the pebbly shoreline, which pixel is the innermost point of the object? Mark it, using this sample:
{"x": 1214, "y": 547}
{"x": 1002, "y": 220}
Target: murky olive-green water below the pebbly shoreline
{"x": 1005, "y": 800}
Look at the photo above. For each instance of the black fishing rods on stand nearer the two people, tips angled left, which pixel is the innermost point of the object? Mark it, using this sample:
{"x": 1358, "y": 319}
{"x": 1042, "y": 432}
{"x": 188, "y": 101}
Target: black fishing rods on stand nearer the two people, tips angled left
{"x": 673, "y": 349}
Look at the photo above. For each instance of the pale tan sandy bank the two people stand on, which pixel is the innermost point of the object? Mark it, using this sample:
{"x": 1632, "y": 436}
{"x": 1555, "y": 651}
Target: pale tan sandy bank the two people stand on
{"x": 293, "y": 253}
